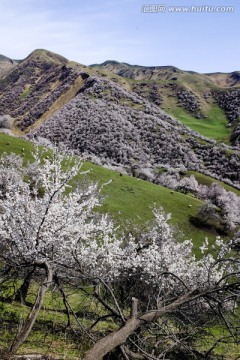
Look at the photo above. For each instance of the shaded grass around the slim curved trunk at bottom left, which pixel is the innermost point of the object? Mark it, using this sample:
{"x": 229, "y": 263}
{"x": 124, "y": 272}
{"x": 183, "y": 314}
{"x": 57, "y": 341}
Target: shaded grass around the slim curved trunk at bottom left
{"x": 50, "y": 336}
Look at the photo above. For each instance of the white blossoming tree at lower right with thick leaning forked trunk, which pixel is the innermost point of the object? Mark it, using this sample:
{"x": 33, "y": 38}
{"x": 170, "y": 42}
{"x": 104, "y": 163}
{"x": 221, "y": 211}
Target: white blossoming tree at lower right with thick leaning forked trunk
{"x": 149, "y": 278}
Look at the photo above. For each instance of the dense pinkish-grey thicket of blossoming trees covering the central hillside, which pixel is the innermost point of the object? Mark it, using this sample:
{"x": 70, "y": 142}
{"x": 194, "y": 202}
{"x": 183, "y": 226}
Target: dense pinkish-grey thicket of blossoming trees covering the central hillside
{"x": 121, "y": 128}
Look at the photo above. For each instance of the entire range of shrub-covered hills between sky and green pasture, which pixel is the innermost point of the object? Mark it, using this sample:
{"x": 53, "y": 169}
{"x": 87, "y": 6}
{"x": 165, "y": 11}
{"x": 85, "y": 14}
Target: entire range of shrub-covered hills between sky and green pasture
{"x": 123, "y": 121}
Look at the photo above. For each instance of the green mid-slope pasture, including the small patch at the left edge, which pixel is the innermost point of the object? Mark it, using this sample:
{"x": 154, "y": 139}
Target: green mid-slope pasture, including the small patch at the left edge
{"x": 129, "y": 200}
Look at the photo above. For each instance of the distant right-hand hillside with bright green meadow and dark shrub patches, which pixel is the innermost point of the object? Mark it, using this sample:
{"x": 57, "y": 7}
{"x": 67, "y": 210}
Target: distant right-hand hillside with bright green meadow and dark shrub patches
{"x": 191, "y": 97}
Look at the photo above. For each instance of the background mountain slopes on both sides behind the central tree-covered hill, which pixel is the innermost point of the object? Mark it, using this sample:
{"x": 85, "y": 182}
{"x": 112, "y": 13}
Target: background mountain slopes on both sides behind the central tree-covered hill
{"x": 37, "y": 87}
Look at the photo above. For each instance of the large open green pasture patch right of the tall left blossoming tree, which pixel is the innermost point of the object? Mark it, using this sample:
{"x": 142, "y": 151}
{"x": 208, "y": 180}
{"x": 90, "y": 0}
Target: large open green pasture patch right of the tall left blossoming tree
{"x": 131, "y": 200}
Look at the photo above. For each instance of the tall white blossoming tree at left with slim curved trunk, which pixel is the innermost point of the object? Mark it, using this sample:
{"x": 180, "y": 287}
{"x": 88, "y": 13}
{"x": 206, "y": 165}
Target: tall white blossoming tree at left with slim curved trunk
{"x": 45, "y": 219}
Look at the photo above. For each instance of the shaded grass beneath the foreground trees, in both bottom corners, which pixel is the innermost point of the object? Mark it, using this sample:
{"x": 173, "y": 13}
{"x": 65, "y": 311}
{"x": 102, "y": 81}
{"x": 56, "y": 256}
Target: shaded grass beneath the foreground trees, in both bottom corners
{"x": 50, "y": 336}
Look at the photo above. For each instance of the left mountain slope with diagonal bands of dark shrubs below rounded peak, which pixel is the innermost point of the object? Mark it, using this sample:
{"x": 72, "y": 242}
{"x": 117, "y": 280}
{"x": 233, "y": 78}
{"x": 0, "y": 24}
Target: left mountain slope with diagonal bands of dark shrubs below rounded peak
{"x": 32, "y": 87}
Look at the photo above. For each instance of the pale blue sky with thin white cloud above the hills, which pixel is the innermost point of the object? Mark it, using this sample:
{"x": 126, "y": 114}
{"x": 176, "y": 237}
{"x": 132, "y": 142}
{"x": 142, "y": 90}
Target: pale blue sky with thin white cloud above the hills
{"x": 197, "y": 35}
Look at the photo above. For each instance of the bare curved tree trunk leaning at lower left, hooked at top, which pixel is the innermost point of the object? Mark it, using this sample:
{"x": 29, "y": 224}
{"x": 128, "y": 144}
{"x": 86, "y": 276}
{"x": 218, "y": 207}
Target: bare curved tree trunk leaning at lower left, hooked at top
{"x": 27, "y": 326}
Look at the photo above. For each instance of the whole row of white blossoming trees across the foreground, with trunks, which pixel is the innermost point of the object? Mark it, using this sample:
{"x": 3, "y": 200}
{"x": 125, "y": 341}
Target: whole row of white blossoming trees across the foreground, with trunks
{"x": 151, "y": 287}
